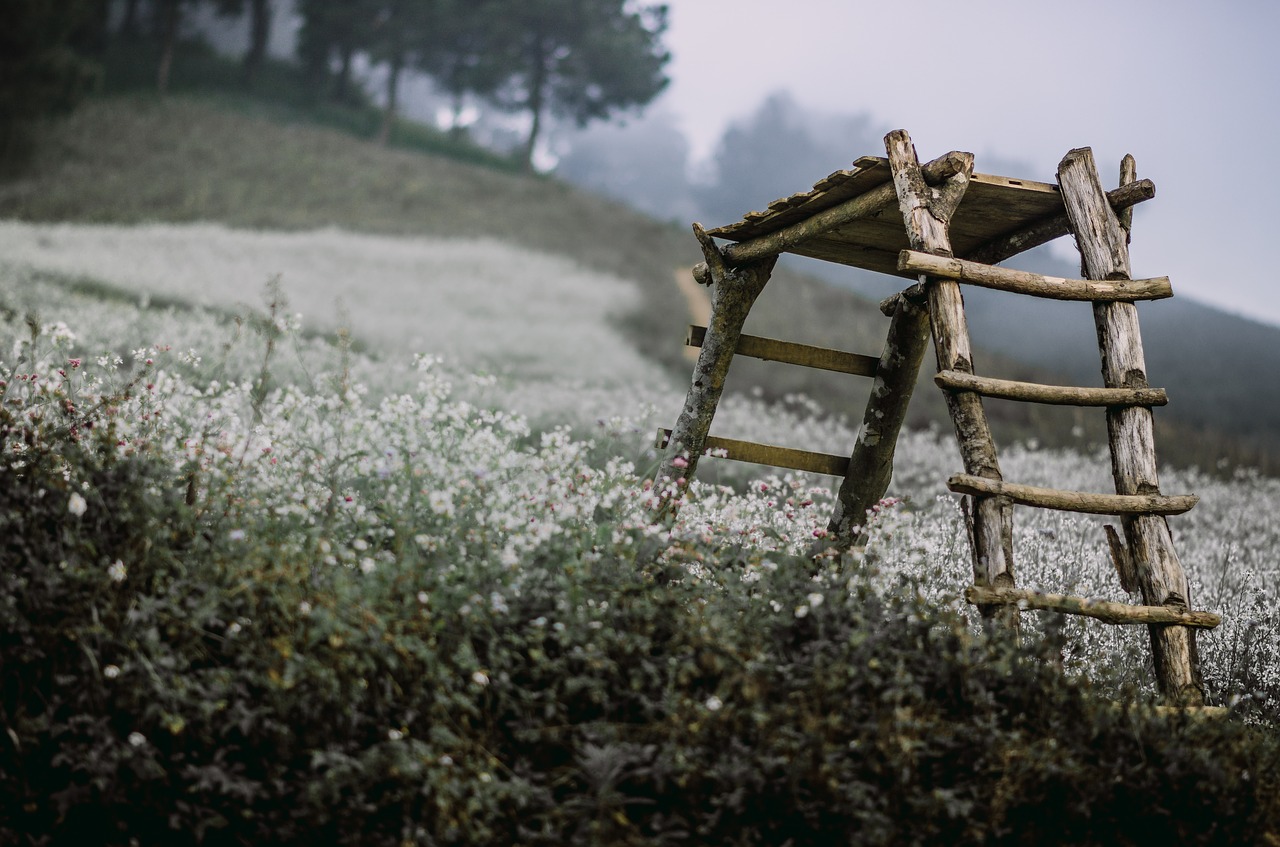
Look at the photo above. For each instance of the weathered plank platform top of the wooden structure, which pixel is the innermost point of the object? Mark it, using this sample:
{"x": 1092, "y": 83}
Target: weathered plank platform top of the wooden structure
{"x": 993, "y": 208}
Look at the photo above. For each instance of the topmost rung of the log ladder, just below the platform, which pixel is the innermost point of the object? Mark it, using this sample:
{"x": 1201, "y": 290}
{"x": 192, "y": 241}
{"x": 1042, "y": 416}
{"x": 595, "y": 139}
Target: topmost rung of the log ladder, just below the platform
{"x": 1021, "y": 282}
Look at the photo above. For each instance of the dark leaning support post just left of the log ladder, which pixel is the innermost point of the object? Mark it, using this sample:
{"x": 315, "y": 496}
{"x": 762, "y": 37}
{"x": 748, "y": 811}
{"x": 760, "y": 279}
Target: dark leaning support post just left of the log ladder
{"x": 872, "y": 463}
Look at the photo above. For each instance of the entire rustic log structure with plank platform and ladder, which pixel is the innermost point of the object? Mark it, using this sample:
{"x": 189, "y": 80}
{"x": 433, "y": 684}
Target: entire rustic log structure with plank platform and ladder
{"x": 944, "y": 226}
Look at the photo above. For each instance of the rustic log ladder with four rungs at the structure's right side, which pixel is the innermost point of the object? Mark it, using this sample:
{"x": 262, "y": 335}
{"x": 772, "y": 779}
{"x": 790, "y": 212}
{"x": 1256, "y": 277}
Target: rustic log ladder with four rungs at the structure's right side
{"x": 1146, "y": 560}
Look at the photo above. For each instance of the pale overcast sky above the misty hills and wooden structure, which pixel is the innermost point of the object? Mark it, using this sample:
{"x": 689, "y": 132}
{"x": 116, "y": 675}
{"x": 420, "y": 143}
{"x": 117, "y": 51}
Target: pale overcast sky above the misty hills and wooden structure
{"x": 1191, "y": 89}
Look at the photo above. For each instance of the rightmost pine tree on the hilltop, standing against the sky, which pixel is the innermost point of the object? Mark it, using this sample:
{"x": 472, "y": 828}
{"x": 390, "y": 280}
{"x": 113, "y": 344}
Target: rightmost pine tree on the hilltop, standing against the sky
{"x": 578, "y": 59}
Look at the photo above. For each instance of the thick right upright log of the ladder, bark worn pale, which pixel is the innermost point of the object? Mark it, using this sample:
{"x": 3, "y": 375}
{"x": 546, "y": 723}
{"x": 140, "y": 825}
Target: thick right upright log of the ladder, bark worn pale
{"x": 1105, "y": 254}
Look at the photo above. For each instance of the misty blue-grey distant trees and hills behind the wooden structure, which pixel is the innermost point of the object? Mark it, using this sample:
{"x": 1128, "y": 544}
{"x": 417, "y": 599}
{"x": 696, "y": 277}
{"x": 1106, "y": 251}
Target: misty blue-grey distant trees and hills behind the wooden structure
{"x": 1208, "y": 359}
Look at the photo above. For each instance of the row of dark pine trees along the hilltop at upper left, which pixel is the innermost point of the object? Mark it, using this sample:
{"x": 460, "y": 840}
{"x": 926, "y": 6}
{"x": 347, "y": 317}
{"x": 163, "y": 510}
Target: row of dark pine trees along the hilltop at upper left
{"x": 570, "y": 59}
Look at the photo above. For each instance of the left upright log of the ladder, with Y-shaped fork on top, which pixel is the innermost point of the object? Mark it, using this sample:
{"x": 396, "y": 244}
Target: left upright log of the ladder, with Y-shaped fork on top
{"x": 927, "y": 214}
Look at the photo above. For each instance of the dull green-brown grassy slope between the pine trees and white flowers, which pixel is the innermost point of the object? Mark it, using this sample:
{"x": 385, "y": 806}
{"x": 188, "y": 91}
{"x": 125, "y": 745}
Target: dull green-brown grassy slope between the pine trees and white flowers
{"x": 134, "y": 159}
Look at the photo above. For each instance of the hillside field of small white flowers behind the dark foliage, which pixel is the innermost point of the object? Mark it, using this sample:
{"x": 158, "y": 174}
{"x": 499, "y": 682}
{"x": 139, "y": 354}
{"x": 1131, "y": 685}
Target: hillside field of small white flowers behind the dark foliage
{"x": 491, "y": 404}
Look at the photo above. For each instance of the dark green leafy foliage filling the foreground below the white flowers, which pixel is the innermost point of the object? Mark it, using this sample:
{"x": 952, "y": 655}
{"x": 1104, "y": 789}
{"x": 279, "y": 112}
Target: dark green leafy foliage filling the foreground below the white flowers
{"x": 171, "y": 683}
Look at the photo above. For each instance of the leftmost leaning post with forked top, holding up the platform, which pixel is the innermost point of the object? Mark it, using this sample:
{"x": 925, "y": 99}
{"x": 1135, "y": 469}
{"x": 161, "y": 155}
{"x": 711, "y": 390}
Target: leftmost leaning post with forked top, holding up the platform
{"x": 734, "y": 294}
